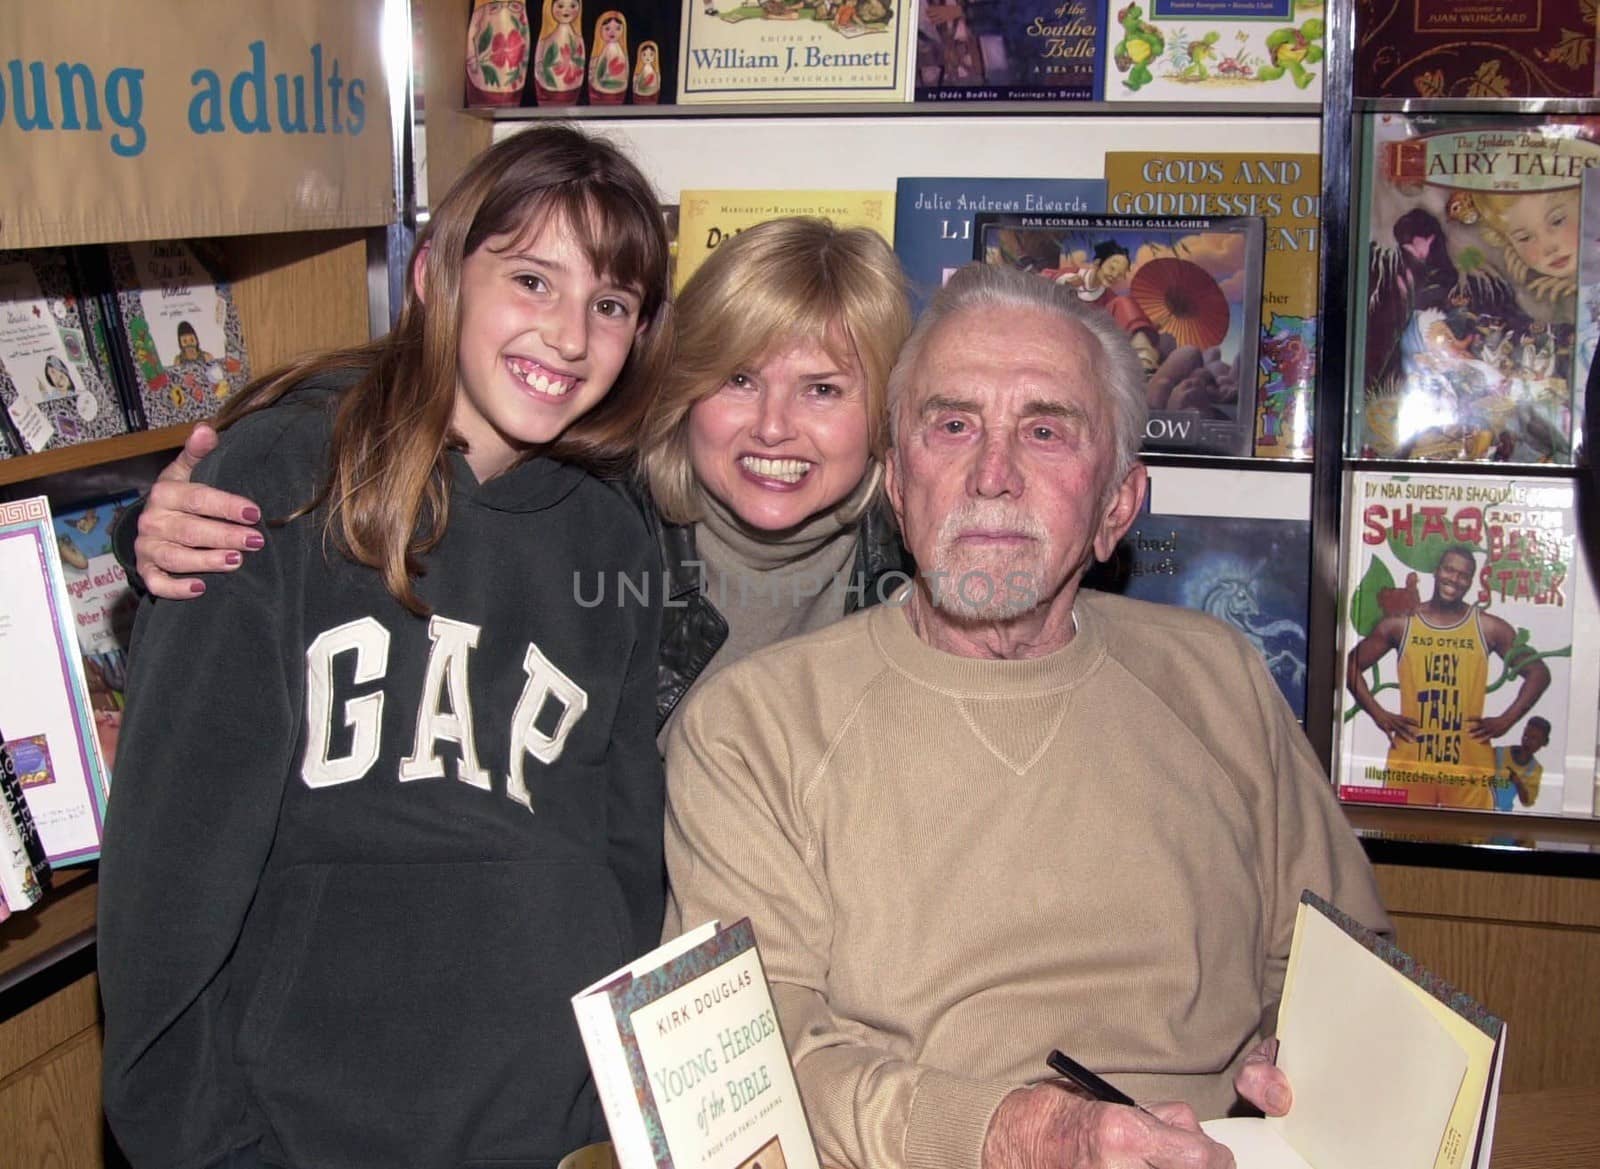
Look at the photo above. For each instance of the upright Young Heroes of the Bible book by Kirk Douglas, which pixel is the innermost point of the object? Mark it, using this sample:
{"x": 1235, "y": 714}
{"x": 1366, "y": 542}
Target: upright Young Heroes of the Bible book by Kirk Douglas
{"x": 690, "y": 1063}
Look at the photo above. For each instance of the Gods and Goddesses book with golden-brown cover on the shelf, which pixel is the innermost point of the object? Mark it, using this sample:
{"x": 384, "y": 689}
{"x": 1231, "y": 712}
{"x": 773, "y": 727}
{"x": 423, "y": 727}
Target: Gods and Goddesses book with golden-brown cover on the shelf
{"x": 1287, "y": 191}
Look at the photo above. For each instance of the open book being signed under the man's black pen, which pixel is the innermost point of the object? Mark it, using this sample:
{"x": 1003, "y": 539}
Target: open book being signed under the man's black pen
{"x": 1391, "y": 1067}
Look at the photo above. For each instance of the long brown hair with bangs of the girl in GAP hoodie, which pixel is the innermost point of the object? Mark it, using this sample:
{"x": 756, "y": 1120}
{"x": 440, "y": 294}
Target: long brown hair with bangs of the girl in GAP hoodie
{"x": 388, "y": 482}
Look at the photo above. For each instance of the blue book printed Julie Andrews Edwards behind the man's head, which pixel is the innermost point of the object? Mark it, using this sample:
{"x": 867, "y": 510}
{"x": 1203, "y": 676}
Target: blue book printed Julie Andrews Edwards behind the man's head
{"x": 934, "y": 218}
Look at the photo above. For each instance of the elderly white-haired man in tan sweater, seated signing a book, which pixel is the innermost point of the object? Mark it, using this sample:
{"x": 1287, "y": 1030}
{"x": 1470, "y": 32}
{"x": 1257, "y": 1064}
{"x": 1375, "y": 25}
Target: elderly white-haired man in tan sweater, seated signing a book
{"x": 1009, "y": 816}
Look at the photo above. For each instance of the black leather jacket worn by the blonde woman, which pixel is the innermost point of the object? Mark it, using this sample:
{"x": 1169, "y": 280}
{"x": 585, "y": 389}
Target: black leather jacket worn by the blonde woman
{"x": 692, "y": 629}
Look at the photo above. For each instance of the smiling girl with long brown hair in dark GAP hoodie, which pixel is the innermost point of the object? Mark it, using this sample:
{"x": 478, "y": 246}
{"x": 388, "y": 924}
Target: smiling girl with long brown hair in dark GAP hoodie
{"x": 388, "y": 800}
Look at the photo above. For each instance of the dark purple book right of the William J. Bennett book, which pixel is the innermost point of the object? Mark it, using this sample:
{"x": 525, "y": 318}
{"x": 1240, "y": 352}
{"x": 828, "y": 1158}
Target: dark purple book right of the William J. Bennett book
{"x": 1009, "y": 50}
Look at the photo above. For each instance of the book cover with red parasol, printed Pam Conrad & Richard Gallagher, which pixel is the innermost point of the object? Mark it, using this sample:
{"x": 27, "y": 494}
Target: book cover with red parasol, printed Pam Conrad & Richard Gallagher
{"x": 1185, "y": 289}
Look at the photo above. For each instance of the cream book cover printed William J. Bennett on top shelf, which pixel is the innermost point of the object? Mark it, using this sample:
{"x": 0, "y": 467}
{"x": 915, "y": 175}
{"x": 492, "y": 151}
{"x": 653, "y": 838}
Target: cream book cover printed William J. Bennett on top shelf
{"x": 798, "y": 50}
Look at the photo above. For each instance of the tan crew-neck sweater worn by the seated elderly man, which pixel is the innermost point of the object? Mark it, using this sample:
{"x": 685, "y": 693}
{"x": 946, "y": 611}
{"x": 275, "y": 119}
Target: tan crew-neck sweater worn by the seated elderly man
{"x": 956, "y": 866}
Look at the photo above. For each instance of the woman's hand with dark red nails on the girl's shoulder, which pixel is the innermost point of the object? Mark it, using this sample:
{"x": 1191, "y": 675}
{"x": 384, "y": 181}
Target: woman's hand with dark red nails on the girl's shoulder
{"x": 193, "y": 529}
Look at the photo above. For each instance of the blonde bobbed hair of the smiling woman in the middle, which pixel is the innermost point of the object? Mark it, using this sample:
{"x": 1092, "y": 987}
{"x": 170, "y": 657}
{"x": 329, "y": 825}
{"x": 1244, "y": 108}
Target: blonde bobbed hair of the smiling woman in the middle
{"x": 777, "y": 284}
